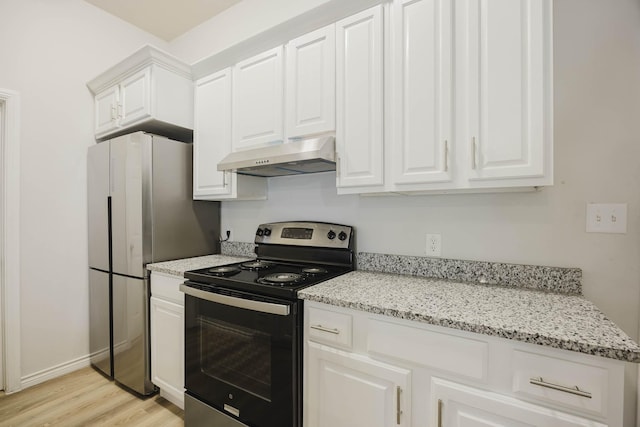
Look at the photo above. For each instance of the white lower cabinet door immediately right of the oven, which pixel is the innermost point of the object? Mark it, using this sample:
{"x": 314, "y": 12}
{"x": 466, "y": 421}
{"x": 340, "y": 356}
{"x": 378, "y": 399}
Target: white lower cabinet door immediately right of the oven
{"x": 350, "y": 390}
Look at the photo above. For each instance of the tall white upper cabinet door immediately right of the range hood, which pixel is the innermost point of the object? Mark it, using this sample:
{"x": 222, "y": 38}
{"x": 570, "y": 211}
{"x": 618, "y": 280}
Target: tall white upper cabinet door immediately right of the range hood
{"x": 359, "y": 95}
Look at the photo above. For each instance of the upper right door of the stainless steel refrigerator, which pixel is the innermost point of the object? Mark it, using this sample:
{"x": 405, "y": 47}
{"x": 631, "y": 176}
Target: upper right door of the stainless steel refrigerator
{"x": 130, "y": 203}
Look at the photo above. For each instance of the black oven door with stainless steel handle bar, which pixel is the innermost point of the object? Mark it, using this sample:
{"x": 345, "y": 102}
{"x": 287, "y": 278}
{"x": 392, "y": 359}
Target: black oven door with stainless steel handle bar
{"x": 243, "y": 354}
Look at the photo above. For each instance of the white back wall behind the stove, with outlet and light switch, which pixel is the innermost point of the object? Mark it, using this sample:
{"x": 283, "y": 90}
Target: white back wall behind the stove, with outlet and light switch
{"x": 597, "y": 159}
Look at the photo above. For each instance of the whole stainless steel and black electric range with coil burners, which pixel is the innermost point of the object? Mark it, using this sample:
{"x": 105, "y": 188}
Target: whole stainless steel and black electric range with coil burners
{"x": 243, "y": 326}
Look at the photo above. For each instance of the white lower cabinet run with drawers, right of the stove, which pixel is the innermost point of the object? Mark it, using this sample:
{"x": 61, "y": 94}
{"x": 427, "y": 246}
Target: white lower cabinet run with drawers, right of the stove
{"x": 371, "y": 370}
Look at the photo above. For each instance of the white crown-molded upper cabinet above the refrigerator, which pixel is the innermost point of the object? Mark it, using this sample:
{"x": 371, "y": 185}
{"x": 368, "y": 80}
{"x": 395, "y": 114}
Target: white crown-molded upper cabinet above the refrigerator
{"x": 149, "y": 91}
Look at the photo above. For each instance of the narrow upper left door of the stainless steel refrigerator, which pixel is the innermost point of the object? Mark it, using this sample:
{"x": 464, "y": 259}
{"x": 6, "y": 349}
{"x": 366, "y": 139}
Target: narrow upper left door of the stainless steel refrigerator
{"x": 97, "y": 194}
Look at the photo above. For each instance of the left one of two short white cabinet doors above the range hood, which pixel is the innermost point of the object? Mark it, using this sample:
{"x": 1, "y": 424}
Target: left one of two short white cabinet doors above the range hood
{"x": 258, "y": 97}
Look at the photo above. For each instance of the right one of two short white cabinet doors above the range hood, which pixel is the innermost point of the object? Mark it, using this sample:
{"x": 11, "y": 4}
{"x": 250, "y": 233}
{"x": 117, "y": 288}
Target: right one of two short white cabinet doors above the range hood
{"x": 310, "y": 83}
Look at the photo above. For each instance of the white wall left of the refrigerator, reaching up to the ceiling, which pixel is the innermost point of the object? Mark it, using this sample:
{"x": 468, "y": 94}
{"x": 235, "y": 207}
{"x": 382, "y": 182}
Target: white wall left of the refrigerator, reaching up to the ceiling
{"x": 49, "y": 50}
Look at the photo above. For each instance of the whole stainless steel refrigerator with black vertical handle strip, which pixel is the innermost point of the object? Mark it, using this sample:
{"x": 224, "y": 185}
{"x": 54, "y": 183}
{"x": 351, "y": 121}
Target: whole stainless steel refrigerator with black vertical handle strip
{"x": 140, "y": 211}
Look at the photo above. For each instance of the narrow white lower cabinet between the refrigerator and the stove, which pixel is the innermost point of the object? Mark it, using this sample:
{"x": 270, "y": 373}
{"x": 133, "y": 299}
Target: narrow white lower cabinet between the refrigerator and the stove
{"x": 167, "y": 337}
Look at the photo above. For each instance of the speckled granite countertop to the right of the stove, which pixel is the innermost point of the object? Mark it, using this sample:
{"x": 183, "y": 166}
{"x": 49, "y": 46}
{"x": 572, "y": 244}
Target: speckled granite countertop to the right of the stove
{"x": 567, "y": 322}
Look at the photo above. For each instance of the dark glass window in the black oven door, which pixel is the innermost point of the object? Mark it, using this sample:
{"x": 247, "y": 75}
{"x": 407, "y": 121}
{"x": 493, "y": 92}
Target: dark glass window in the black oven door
{"x": 236, "y": 355}
